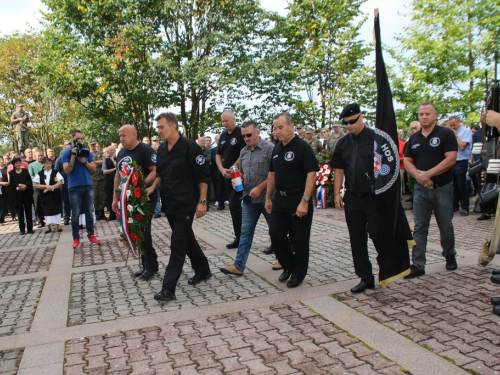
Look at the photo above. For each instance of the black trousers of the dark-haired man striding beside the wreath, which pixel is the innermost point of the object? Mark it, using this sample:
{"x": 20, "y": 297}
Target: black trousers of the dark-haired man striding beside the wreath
{"x": 183, "y": 243}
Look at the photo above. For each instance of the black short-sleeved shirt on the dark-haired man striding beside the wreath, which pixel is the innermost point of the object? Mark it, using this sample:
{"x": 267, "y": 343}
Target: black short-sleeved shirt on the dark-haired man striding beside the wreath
{"x": 181, "y": 169}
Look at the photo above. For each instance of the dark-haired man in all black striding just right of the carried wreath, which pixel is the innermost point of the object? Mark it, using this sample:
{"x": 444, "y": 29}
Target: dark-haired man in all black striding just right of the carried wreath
{"x": 183, "y": 176}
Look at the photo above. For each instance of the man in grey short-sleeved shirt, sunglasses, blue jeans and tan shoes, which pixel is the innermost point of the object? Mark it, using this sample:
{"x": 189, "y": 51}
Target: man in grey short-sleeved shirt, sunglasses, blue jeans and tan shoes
{"x": 255, "y": 158}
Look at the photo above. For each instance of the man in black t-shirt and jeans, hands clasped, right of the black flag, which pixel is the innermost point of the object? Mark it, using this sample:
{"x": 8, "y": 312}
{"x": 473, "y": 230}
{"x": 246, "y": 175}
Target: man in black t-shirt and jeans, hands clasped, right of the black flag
{"x": 430, "y": 155}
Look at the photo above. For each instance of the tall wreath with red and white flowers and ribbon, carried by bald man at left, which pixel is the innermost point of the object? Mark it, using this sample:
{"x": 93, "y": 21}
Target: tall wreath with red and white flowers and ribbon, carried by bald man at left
{"x": 134, "y": 211}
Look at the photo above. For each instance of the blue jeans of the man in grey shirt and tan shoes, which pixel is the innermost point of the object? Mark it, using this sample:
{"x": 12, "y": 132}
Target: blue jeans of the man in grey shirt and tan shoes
{"x": 250, "y": 216}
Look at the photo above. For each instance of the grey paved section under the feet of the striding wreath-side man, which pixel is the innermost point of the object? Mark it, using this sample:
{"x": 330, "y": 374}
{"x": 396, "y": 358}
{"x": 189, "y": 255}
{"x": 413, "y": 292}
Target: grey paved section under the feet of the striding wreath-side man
{"x": 113, "y": 293}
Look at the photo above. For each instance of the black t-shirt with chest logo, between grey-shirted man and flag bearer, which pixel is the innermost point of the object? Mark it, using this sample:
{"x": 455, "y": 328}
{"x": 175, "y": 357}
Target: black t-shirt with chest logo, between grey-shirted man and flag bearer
{"x": 292, "y": 163}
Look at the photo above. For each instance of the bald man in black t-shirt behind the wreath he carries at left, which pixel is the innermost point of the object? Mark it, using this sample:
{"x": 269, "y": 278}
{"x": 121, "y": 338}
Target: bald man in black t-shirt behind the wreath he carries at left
{"x": 145, "y": 157}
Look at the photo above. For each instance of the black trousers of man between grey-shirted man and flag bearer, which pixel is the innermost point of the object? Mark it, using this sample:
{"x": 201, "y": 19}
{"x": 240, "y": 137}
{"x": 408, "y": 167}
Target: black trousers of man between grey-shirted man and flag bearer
{"x": 283, "y": 223}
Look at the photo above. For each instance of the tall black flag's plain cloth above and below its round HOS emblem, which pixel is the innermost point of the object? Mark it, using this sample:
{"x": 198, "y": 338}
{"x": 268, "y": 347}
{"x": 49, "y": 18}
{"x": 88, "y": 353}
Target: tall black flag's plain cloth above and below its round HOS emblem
{"x": 394, "y": 235}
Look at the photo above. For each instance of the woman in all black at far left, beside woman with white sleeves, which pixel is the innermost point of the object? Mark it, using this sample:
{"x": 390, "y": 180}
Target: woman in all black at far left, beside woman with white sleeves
{"x": 21, "y": 187}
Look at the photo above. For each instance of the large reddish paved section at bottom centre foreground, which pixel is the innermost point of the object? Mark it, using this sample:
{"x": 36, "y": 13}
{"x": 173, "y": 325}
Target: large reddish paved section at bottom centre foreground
{"x": 148, "y": 351}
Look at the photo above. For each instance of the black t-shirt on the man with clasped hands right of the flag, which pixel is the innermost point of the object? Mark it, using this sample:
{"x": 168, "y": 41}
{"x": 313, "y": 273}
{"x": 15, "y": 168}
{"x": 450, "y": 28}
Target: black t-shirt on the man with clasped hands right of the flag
{"x": 427, "y": 152}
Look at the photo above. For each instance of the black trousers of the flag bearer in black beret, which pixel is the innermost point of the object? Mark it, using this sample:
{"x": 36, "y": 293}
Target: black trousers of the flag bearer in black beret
{"x": 361, "y": 219}
